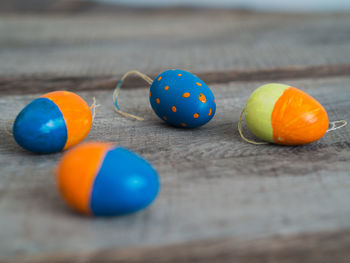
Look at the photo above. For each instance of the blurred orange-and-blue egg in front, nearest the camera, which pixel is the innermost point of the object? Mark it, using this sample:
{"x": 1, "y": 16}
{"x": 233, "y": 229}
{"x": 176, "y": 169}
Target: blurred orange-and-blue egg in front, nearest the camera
{"x": 101, "y": 179}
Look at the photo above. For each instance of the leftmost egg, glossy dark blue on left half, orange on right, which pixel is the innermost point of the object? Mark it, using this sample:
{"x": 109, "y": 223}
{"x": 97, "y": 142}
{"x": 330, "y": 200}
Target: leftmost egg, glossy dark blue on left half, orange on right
{"x": 53, "y": 122}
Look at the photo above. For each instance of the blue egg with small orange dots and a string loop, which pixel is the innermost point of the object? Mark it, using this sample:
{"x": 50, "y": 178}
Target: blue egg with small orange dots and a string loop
{"x": 181, "y": 99}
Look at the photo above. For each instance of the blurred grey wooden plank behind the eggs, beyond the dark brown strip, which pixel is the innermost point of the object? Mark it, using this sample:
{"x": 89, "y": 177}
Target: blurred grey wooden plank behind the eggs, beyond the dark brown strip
{"x": 198, "y": 41}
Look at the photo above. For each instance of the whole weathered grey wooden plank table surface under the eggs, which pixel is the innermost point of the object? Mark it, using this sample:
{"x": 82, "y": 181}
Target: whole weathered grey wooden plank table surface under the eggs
{"x": 222, "y": 200}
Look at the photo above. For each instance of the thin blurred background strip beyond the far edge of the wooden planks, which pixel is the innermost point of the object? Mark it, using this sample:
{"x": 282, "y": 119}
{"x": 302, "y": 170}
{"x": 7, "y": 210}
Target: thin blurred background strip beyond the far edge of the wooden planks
{"x": 261, "y": 5}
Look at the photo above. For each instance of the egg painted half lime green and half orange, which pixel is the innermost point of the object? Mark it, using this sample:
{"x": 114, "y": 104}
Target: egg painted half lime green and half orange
{"x": 282, "y": 114}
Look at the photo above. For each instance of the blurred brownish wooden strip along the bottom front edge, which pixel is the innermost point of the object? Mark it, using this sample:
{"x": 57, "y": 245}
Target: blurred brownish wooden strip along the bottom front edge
{"x": 311, "y": 248}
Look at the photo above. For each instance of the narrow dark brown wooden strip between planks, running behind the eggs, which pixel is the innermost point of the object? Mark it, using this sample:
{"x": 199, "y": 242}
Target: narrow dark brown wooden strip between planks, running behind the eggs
{"x": 36, "y": 84}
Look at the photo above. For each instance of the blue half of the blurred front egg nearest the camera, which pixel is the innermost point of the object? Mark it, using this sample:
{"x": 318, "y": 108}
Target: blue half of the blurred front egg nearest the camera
{"x": 125, "y": 183}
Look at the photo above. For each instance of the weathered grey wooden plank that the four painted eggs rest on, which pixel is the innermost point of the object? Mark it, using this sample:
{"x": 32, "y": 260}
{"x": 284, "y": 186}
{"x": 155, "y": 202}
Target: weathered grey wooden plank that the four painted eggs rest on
{"x": 214, "y": 185}
